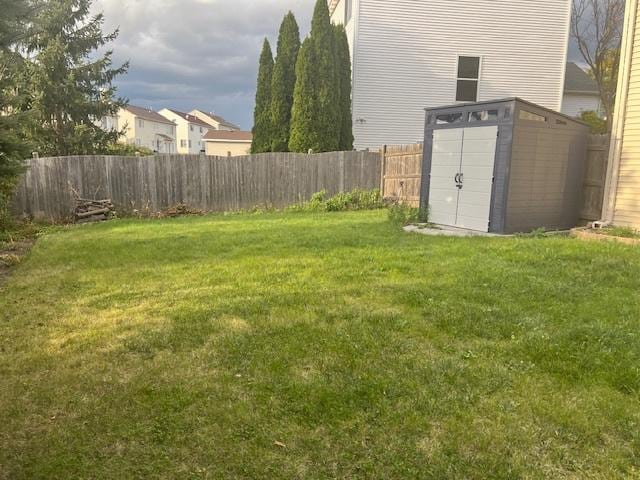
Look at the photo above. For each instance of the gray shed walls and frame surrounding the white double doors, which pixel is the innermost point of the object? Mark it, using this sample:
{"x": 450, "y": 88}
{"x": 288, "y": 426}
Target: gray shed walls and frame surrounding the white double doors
{"x": 539, "y": 166}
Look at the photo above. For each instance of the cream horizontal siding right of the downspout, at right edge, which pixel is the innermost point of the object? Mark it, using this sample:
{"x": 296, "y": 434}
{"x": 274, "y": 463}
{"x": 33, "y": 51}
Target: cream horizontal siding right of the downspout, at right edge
{"x": 627, "y": 206}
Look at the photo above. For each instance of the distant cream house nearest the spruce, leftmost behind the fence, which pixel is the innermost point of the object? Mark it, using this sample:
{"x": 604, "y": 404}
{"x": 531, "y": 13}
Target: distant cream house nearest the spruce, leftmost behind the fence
{"x": 144, "y": 128}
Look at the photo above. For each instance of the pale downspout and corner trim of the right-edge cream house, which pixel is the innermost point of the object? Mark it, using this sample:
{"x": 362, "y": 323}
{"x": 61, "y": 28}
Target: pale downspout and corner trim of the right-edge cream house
{"x": 617, "y": 131}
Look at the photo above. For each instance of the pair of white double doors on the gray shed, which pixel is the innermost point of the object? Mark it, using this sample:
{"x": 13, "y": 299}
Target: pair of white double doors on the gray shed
{"x": 461, "y": 178}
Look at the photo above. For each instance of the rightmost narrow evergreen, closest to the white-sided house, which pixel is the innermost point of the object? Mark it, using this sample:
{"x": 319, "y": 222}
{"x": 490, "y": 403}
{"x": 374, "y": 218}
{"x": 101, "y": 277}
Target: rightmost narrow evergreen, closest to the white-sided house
{"x": 343, "y": 62}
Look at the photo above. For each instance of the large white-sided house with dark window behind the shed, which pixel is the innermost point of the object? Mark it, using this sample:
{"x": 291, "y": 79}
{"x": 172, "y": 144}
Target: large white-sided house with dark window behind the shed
{"x": 408, "y": 55}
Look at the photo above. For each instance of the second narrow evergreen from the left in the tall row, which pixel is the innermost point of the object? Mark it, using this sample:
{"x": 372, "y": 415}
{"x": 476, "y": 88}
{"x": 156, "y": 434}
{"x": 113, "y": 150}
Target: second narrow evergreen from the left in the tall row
{"x": 284, "y": 80}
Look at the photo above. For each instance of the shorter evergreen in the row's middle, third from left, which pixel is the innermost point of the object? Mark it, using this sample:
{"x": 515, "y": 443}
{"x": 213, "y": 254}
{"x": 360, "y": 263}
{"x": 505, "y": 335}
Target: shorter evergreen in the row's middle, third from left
{"x": 304, "y": 132}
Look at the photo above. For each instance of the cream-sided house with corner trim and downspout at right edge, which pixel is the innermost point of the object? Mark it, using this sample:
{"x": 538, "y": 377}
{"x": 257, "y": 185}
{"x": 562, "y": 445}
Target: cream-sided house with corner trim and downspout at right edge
{"x": 622, "y": 190}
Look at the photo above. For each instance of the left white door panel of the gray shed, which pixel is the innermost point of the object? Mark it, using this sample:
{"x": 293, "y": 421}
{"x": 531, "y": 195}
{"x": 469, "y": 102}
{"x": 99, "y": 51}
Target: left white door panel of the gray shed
{"x": 445, "y": 165}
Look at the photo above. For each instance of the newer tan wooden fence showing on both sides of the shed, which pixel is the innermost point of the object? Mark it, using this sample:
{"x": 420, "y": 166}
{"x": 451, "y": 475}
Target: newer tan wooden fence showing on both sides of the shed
{"x": 402, "y": 172}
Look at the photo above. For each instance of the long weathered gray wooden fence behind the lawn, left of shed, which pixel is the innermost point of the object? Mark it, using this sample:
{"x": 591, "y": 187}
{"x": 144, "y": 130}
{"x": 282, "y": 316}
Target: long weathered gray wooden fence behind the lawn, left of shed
{"x": 208, "y": 183}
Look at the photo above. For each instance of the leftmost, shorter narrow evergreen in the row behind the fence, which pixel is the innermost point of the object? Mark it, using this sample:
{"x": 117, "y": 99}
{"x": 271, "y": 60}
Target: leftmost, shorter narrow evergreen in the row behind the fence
{"x": 262, "y": 123}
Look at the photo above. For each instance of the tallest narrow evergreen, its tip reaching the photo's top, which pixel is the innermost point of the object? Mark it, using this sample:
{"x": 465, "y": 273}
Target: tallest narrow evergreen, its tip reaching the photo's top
{"x": 328, "y": 95}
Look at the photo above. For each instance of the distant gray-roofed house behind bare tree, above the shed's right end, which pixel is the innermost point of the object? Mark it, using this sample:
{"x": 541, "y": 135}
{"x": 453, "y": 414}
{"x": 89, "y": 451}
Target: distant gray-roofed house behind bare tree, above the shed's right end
{"x": 581, "y": 92}
